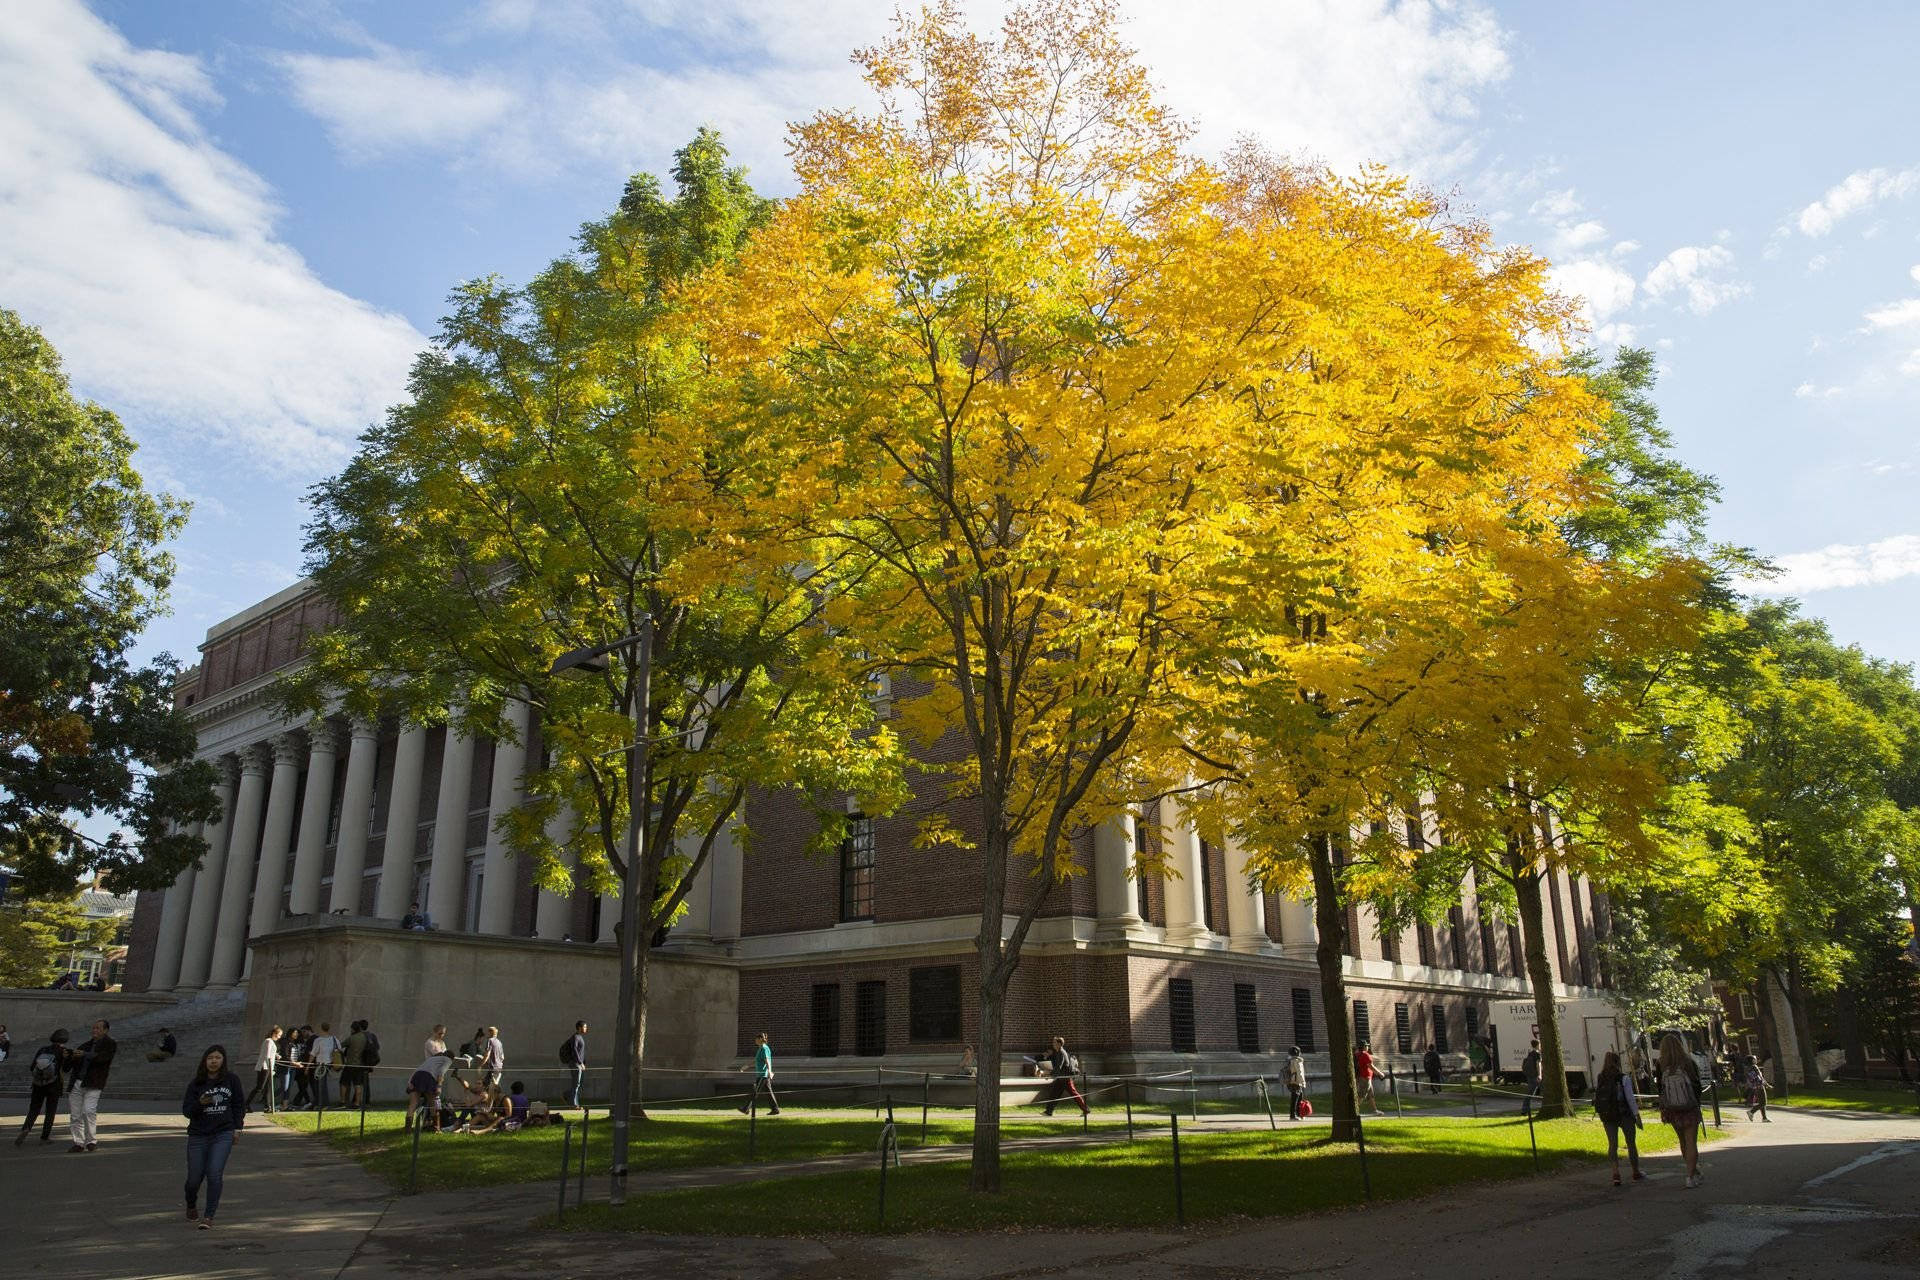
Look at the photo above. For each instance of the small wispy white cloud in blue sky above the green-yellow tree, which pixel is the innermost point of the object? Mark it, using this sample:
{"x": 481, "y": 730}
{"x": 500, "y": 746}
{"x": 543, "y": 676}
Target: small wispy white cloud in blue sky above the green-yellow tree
{"x": 389, "y": 103}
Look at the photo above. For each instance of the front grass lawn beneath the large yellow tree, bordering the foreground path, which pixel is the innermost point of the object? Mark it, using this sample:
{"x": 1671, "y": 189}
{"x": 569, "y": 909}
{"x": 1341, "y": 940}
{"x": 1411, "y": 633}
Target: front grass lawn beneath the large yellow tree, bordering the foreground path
{"x": 1251, "y": 1173}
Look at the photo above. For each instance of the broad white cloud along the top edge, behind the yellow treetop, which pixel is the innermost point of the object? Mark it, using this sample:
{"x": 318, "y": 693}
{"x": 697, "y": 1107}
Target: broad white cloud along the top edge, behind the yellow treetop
{"x": 1353, "y": 82}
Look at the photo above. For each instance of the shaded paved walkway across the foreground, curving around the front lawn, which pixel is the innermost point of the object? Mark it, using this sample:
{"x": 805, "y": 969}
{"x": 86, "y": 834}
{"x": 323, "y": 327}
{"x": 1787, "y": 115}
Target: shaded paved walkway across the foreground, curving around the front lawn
{"x": 1808, "y": 1197}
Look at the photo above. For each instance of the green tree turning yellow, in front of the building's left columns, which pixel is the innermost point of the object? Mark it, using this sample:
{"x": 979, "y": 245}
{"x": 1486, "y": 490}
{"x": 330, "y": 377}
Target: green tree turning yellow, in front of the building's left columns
{"x": 537, "y": 496}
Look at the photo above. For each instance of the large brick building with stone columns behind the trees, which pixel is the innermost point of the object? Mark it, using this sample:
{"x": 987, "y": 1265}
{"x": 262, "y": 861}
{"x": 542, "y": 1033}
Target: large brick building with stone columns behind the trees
{"x": 855, "y": 960}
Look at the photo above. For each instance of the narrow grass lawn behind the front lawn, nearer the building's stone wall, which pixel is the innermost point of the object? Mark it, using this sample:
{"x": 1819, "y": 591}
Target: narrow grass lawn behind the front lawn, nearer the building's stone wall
{"x": 667, "y": 1141}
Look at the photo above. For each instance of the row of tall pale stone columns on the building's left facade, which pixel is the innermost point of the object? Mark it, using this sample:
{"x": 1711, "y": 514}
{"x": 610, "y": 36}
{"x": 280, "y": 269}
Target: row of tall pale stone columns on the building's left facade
{"x": 206, "y": 920}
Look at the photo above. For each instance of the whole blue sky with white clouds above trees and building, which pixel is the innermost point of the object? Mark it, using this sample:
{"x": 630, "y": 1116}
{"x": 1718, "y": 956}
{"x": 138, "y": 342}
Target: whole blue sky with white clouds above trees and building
{"x": 239, "y": 222}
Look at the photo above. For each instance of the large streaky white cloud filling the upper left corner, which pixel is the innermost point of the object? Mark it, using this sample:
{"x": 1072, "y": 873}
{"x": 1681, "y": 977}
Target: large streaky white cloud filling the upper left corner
{"x": 153, "y": 262}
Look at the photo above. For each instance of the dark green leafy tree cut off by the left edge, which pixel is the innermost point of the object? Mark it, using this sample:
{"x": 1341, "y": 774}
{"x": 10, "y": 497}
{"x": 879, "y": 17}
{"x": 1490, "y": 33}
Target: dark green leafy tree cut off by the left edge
{"x": 85, "y": 732}
